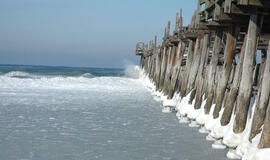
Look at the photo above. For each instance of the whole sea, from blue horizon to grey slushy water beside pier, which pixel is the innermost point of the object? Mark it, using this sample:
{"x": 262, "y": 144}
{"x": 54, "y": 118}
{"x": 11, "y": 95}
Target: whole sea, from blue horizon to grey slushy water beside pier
{"x": 66, "y": 113}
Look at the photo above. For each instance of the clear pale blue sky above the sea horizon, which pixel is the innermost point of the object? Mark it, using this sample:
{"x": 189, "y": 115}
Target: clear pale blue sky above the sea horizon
{"x": 83, "y": 33}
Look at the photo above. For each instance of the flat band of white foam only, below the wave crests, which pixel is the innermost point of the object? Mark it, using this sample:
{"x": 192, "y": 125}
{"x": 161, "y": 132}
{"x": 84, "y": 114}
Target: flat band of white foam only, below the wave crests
{"x": 74, "y": 83}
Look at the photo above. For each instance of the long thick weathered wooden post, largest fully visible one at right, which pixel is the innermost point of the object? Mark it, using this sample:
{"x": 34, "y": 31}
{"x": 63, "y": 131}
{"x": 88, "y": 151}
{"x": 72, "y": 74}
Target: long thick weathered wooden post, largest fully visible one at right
{"x": 243, "y": 100}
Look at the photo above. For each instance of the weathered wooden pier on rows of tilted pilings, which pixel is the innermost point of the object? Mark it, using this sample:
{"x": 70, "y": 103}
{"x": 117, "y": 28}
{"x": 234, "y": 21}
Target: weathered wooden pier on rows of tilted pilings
{"x": 223, "y": 57}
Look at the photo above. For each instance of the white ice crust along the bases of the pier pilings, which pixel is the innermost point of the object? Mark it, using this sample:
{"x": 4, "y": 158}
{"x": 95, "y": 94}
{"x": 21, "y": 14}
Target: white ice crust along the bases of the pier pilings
{"x": 225, "y": 135}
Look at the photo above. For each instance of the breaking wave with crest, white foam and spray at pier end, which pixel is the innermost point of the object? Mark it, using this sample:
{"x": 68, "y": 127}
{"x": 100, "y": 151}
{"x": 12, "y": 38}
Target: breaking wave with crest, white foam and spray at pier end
{"x": 82, "y": 80}
